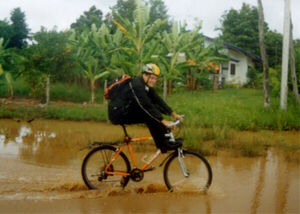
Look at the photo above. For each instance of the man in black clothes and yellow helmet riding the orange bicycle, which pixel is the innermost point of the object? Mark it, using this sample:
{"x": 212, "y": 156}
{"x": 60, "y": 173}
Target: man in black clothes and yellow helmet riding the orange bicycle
{"x": 141, "y": 104}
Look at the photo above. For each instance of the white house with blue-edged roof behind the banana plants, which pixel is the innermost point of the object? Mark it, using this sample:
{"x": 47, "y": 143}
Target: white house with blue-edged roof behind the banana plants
{"x": 240, "y": 61}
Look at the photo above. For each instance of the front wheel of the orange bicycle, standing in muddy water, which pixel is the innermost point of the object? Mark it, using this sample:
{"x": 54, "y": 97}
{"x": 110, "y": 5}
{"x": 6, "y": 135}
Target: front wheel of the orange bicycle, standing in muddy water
{"x": 193, "y": 175}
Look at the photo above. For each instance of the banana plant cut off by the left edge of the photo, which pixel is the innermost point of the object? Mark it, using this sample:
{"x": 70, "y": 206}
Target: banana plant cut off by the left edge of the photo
{"x": 4, "y": 54}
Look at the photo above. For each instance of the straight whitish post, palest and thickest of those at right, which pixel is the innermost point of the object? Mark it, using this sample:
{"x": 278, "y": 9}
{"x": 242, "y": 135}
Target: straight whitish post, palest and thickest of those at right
{"x": 285, "y": 56}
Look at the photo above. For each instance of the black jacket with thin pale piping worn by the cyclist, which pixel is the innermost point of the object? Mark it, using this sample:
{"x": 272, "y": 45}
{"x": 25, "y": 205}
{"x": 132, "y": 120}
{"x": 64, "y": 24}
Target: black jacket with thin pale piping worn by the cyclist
{"x": 146, "y": 98}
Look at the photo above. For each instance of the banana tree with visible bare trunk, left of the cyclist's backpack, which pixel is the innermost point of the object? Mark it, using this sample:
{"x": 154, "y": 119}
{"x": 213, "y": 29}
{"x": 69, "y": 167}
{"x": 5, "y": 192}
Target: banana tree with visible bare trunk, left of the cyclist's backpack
{"x": 97, "y": 53}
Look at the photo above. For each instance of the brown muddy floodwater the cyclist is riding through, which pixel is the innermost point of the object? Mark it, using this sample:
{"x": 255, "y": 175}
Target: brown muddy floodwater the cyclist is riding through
{"x": 40, "y": 173}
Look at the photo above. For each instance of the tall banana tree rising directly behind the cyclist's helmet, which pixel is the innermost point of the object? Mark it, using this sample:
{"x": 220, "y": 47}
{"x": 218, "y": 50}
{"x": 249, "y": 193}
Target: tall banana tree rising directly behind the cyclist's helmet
{"x": 139, "y": 33}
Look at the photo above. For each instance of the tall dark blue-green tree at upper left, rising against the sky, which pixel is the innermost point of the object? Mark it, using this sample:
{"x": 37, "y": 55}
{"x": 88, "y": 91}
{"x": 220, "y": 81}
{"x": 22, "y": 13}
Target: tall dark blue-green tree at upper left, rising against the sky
{"x": 20, "y": 29}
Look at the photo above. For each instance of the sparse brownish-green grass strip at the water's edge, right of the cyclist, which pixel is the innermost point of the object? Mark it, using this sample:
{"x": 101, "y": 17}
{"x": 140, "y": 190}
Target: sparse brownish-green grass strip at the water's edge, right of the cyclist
{"x": 210, "y": 141}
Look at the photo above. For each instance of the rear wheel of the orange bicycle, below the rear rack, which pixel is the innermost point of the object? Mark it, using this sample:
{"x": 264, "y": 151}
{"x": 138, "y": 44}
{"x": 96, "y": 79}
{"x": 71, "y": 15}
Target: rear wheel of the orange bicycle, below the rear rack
{"x": 92, "y": 169}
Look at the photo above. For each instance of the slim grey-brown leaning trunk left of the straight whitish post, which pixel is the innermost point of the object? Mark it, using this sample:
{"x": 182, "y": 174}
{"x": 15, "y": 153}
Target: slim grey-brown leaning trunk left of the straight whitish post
{"x": 264, "y": 55}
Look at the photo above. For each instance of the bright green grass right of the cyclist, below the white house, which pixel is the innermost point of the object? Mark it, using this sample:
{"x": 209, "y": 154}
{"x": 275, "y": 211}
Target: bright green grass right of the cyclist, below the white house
{"x": 239, "y": 109}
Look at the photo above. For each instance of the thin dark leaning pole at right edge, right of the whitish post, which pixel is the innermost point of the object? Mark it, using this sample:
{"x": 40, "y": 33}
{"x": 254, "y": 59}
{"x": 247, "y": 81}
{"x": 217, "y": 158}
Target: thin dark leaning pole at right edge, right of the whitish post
{"x": 292, "y": 64}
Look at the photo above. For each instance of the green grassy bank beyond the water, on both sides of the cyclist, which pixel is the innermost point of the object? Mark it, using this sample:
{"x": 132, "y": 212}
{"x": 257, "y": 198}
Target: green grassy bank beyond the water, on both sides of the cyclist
{"x": 229, "y": 108}
